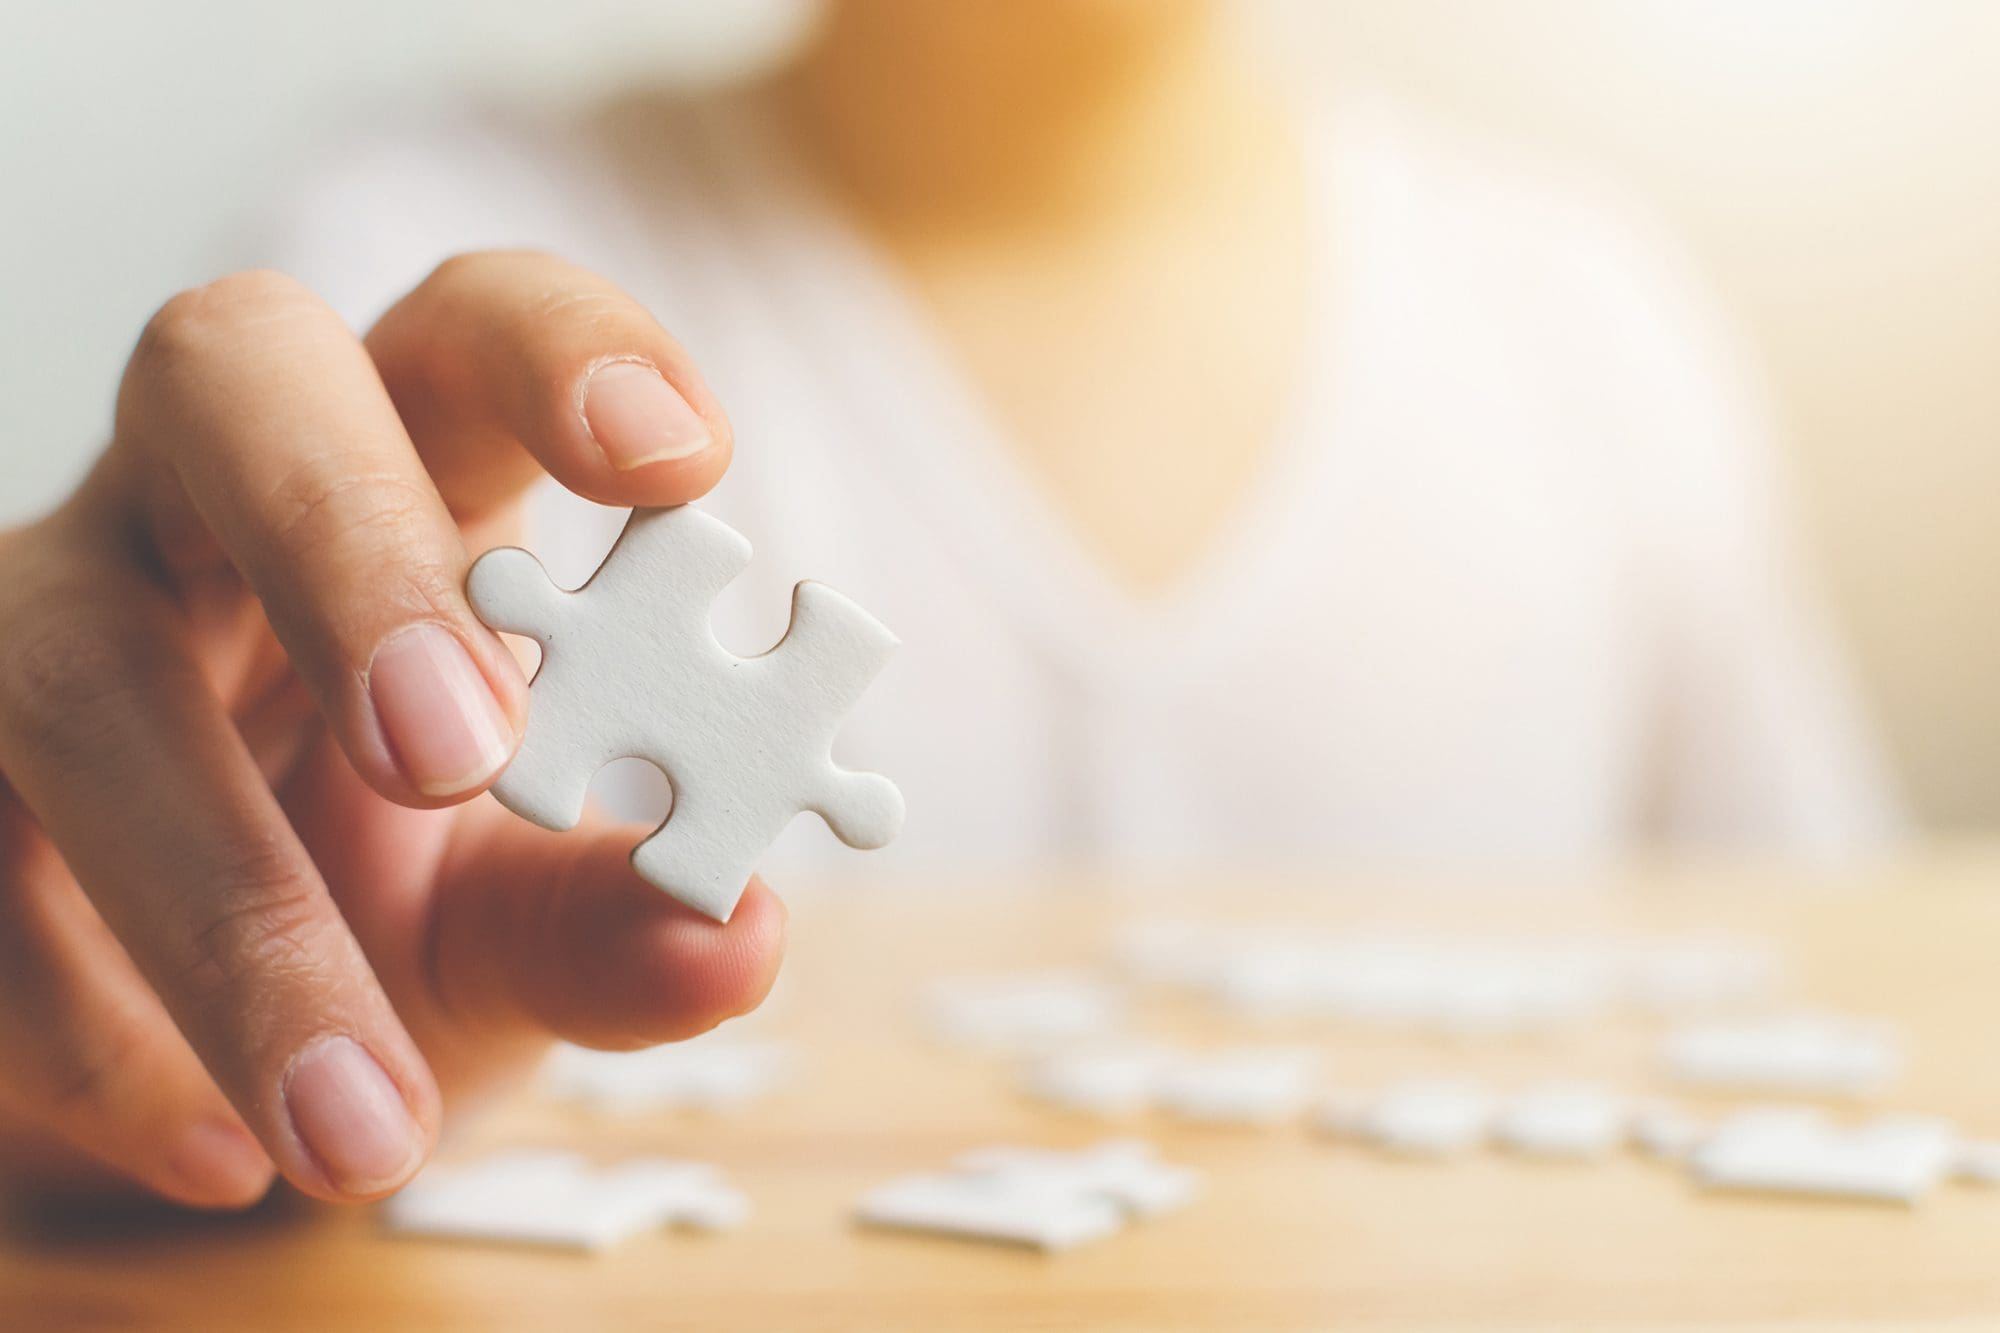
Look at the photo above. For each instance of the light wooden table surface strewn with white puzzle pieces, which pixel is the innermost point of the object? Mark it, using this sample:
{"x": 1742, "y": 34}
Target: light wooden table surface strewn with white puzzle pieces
{"x": 1293, "y": 1234}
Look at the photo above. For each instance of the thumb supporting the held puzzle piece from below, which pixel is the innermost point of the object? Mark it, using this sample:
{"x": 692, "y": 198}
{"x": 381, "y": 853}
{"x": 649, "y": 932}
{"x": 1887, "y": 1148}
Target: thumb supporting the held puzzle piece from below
{"x": 555, "y": 930}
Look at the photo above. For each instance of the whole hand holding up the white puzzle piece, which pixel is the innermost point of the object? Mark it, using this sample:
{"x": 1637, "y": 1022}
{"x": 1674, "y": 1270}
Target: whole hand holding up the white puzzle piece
{"x": 251, "y": 916}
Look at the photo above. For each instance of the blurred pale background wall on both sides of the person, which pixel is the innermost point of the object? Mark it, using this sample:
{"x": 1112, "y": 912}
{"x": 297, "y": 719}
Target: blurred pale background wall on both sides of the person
{"x": 1831, "y": 163}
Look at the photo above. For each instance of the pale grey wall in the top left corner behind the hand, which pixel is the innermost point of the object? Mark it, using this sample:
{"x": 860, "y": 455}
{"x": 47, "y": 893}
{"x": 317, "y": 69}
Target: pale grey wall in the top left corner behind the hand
{"x": 133, "y": 131}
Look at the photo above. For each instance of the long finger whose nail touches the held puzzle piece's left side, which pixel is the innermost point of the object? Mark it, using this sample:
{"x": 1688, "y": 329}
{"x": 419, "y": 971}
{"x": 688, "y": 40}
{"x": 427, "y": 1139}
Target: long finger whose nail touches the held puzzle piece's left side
{"x": 271, "y": 417}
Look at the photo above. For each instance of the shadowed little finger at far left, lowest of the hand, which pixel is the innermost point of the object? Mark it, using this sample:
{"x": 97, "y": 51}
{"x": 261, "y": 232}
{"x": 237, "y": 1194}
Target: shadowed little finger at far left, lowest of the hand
{"x": 93, "y": 1060}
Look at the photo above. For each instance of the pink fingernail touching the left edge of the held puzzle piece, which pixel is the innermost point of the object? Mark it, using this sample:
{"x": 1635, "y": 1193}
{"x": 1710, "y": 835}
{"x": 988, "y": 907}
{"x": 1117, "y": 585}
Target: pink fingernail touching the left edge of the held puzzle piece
{"x": 441, "y": 718}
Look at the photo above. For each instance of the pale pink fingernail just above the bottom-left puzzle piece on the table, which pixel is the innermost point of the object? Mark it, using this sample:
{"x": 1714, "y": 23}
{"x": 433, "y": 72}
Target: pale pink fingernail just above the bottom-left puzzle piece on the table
{"x": 351, "y": 1118}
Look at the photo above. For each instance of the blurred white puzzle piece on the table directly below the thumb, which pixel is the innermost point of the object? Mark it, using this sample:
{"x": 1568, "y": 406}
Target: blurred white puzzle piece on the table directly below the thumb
{"x": 707, "y": 1074}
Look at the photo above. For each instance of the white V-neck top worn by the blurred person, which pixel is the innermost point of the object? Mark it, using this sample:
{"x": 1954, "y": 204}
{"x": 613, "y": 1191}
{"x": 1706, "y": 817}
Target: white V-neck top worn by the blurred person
{"x": 1515, "y": 589}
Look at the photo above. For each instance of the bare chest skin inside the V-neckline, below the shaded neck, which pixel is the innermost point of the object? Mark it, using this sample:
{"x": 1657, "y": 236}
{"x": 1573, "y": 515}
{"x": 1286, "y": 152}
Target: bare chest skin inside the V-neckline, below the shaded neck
{"x": 1139, "y": 377}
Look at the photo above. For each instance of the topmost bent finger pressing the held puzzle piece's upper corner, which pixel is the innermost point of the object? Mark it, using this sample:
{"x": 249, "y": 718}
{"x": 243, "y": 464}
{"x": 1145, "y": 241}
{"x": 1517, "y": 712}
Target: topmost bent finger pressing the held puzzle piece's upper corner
{"x": 507, "y": 365}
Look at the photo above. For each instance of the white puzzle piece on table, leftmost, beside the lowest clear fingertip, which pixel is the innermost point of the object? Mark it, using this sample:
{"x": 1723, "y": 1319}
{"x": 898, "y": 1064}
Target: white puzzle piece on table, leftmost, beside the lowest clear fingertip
{"x": 561, "y": 1202}
